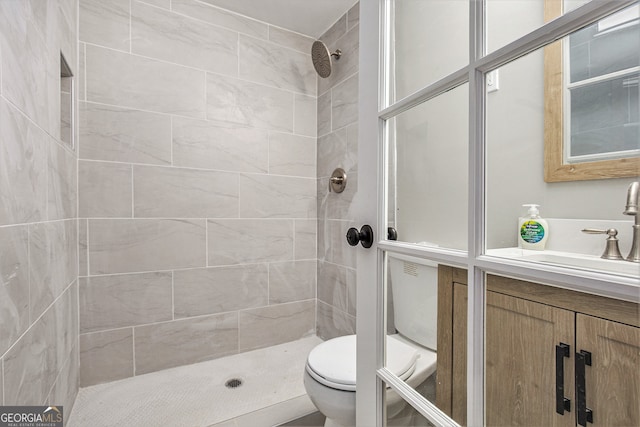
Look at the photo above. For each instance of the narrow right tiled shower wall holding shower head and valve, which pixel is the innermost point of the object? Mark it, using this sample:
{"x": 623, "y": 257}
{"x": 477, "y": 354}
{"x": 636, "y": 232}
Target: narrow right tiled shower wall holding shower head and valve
{"x": 337, "y": 146}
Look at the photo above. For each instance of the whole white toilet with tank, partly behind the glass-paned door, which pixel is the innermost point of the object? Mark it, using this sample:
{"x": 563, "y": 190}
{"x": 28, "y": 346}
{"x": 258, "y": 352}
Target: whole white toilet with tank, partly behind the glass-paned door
{"x": 330, "y": 372}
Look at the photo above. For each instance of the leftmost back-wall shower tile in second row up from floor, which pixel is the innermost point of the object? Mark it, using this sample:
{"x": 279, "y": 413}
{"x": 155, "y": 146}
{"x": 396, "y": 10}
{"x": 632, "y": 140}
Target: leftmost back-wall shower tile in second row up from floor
{"x": 116, "y": 301}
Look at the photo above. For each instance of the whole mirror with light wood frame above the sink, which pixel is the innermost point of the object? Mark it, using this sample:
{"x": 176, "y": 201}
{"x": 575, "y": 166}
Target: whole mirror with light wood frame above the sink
{"x": 592, "y": 99}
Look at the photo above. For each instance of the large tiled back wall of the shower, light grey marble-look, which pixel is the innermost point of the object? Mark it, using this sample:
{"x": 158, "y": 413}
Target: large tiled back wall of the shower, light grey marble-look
{"x": 197, "y": 186}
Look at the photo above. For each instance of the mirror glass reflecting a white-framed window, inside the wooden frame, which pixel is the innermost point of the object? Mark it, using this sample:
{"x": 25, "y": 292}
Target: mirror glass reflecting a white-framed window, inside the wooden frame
{"x": 601, "y": 71}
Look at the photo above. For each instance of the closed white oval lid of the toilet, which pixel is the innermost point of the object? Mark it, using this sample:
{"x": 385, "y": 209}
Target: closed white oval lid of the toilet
{"x": 333, "y": 362}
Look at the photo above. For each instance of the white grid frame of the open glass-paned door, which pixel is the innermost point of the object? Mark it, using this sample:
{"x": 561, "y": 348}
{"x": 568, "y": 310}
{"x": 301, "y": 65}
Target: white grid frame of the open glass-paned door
{"x": 474, "y": 260}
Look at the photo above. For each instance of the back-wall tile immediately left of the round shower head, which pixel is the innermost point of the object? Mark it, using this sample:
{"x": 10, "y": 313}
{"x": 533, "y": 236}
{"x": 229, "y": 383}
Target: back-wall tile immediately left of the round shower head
{"x": 260, "y": 63}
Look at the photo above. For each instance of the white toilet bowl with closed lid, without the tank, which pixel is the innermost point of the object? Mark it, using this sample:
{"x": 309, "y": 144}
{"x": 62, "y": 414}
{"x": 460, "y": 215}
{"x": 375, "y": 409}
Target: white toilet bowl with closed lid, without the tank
{"x": 330, "y": 375}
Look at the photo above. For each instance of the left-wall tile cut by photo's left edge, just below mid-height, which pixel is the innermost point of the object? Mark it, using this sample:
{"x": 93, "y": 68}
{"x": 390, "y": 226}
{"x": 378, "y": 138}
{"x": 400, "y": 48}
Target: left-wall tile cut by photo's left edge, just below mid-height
{"x": 14, "y": 284}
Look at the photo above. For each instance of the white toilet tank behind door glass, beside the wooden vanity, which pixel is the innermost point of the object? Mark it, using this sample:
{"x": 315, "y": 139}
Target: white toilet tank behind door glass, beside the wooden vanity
{"x": 414, "y": 289}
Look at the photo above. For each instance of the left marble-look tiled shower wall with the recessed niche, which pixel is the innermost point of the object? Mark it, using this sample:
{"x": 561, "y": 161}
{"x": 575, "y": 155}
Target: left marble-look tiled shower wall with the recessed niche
{"x": 38, "y": 207}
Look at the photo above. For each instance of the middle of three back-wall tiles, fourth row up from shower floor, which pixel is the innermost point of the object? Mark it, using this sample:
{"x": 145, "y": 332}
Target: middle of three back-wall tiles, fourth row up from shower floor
{"x": 163, "y": 192}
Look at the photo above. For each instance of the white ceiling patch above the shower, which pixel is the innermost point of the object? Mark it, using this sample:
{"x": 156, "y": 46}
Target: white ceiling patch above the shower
{"x": 310, "y": 17}
